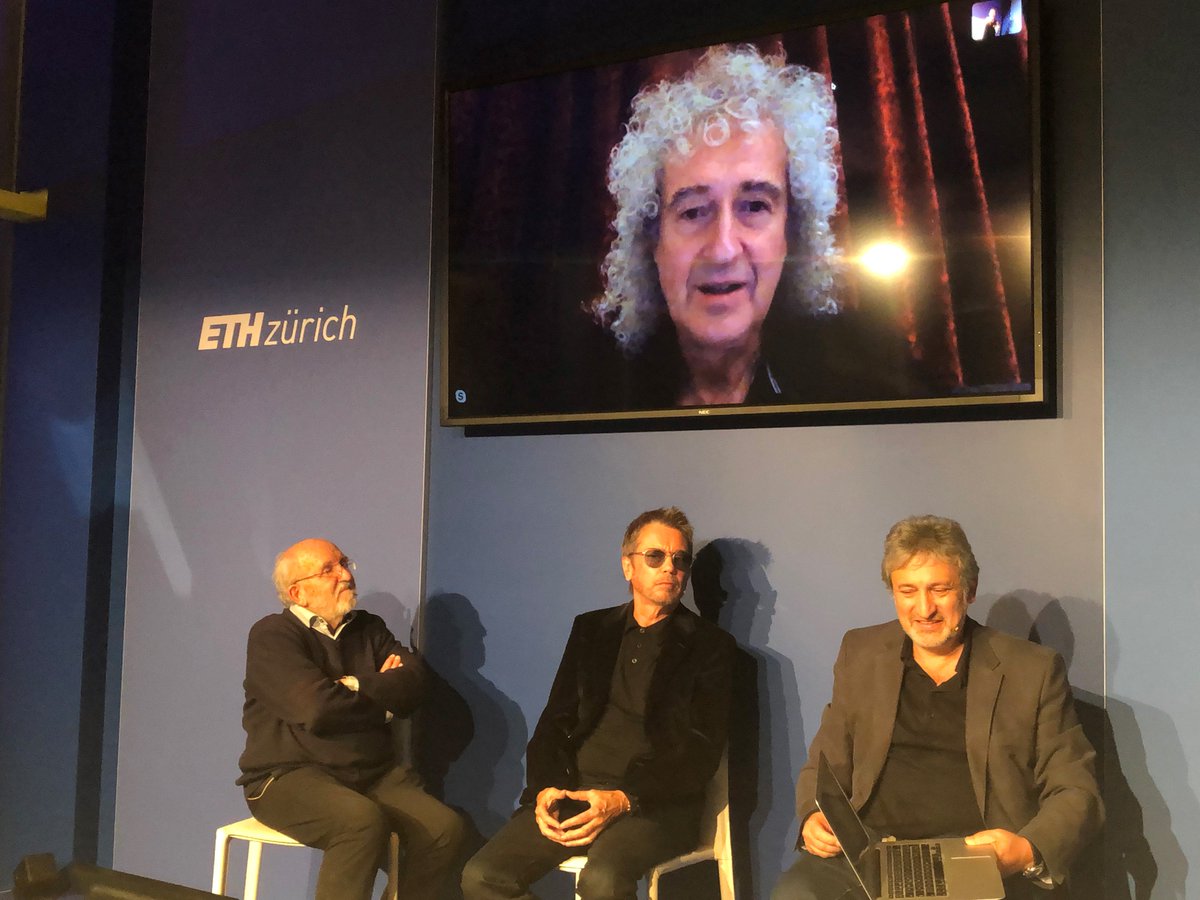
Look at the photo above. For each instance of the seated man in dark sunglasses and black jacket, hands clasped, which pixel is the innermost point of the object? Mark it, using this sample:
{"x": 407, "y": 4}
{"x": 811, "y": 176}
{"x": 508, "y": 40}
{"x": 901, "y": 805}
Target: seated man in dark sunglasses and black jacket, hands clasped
{"x": 632, "y": 735}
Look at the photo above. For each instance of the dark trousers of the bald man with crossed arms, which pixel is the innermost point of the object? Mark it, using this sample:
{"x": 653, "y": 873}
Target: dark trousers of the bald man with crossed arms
{"x": 352, "y": 827}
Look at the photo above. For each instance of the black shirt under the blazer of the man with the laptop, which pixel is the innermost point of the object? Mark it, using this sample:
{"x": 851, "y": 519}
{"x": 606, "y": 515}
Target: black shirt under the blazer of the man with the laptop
{"x": 925, "y": 790}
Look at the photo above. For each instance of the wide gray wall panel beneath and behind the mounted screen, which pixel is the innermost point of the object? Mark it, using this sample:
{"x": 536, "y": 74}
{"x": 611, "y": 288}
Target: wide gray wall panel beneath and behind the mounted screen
{"x": 525, "y": 531}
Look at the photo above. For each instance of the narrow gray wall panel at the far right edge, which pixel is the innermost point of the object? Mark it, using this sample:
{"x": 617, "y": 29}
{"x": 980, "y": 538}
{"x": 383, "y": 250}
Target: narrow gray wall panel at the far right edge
{"x": 1151, "y": 430}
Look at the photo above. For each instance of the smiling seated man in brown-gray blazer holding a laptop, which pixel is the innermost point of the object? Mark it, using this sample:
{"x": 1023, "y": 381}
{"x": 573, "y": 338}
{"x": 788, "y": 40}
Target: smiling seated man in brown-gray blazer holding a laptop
{"x": 940, "y": 727}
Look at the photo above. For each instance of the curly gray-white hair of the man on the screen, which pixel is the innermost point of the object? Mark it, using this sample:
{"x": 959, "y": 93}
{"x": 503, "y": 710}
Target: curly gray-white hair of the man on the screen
{"x": 730, "y": 88}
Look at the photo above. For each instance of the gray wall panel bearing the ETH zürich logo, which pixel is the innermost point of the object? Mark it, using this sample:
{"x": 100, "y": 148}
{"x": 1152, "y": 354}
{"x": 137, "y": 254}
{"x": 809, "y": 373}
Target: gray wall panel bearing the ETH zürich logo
{"x": 263, "y": 206}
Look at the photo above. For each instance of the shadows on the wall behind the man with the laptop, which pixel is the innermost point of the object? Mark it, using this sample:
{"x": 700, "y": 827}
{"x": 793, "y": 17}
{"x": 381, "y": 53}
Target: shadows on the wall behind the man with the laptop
{"x": 1120, "y": 865}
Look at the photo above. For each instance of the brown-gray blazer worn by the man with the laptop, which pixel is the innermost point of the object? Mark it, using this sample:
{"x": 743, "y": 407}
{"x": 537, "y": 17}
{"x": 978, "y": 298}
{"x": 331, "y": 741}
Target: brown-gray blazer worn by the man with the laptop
{"x": 1031, "y": 767}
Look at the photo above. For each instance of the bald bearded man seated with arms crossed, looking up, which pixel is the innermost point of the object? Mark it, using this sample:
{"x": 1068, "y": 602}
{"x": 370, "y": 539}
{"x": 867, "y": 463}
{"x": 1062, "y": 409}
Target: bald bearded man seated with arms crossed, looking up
{"x": 323, "y": 682}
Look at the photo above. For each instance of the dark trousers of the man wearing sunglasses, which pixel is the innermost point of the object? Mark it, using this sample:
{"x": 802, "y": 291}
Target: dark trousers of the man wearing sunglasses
{"x": 622, "y": 854}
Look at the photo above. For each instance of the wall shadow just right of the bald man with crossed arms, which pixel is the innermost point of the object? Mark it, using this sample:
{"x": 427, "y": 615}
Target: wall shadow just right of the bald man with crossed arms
{"x": 470, "y": 737}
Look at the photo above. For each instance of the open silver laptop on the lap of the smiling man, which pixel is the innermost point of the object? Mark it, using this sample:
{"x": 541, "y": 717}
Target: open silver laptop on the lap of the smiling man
{"x": 943, "y": 868}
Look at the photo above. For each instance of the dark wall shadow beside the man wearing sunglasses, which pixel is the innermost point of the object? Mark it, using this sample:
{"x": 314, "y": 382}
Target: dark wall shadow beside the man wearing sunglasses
{"x": 731, "y": 589}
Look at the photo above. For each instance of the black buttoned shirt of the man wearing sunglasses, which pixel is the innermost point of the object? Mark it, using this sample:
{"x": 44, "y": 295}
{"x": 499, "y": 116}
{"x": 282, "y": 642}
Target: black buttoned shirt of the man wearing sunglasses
{"x": 620, "y": 736}
